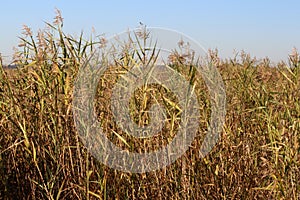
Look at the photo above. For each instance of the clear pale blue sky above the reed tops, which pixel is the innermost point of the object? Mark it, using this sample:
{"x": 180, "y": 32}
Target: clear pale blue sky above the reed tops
{"x": 260, "y": 27}
